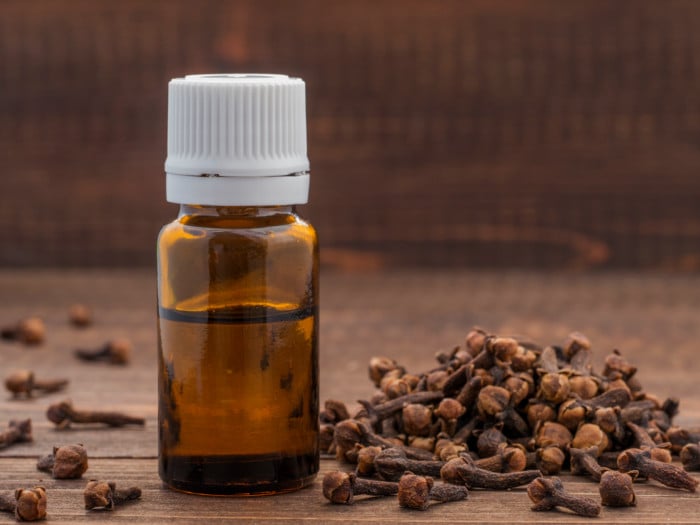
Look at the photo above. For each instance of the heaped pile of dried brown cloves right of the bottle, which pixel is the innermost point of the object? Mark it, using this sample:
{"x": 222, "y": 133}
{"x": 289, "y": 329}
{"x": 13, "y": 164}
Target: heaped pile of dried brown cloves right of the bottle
{"x": 502, "y": 412}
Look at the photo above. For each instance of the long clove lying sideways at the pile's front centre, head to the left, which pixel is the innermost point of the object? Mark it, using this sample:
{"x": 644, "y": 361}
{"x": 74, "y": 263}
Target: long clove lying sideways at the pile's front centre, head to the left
{"x": 462, "y": 471}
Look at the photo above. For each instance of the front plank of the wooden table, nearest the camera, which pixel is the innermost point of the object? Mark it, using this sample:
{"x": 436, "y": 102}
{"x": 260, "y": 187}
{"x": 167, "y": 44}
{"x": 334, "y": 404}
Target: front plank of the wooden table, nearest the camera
{"x": 159, "y": 505}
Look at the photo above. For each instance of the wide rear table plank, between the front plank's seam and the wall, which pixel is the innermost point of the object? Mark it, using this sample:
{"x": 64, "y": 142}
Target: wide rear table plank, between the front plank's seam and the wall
{"x": 404, "y": 315}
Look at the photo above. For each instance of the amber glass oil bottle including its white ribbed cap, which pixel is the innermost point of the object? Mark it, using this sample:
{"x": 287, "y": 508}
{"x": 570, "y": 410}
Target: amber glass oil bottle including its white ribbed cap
{"x": 237, "y": 290}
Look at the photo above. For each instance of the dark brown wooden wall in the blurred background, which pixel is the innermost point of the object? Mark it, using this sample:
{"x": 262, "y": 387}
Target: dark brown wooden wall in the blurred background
{"x": 492, "y": 133}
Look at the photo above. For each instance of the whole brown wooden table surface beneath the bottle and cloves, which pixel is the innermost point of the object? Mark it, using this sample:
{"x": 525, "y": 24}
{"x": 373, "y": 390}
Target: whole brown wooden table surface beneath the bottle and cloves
{"x": 409, "y": 315}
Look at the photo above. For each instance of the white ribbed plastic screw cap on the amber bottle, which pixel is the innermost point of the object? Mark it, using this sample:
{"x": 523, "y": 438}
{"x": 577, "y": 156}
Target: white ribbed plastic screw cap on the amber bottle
{"x": 237, "y": 140}
